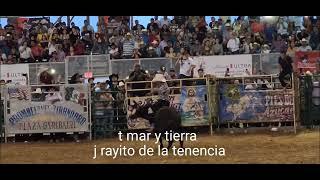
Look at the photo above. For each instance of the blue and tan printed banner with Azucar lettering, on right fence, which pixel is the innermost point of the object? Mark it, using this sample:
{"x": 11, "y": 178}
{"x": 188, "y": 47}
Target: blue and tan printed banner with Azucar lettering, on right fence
{"x": 238, "y": 104}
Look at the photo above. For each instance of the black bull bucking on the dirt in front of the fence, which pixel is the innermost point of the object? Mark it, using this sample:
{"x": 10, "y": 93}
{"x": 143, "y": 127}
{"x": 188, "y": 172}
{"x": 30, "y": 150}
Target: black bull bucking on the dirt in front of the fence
{"x": 165, "y": 119}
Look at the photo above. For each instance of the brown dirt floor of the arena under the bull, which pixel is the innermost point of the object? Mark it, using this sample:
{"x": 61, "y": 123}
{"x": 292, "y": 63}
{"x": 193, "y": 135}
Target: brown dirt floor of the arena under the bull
{"x": 247, "y": 148}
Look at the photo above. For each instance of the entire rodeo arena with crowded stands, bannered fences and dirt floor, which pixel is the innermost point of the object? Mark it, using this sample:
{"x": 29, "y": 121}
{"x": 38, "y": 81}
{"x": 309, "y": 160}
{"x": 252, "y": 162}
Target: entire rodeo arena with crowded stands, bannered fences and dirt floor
{"x": 249, "y": 84}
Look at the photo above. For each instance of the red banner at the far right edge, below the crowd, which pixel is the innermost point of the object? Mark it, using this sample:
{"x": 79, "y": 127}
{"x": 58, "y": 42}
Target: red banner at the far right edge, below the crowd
{"x": 307, "y": 61}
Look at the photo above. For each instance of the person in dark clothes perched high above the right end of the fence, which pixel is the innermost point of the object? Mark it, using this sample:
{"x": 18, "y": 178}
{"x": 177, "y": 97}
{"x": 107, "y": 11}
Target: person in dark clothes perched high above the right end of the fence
{"x": 286, "y": 68}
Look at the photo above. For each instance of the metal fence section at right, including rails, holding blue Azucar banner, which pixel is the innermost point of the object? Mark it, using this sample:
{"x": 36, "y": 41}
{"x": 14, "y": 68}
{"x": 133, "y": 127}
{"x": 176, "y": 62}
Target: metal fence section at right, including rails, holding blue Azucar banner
{"x": 255, "y": 101}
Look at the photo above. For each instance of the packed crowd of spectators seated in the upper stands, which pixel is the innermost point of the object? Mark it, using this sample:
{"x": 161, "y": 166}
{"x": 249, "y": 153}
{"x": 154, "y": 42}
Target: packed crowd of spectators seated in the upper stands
{"x": 161, "y": 38}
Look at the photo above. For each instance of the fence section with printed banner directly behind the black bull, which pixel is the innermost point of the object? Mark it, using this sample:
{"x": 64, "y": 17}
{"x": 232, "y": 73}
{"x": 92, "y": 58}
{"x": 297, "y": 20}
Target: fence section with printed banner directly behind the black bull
{"x": 187, "y": 95}
